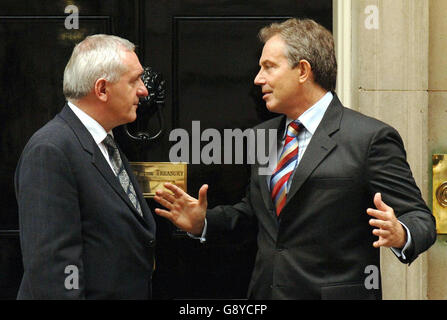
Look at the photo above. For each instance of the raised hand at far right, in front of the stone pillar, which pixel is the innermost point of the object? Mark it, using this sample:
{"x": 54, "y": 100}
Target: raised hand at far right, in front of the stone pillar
{"x": 390, "y": 231}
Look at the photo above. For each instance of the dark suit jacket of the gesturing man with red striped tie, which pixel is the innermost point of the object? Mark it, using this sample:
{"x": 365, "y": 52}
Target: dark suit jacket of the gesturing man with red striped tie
{"x": 321, "y": 244}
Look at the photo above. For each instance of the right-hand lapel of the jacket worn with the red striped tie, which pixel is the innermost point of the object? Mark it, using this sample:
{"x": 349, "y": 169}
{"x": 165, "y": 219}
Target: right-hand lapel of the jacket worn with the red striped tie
{"x": 320, "y": 146}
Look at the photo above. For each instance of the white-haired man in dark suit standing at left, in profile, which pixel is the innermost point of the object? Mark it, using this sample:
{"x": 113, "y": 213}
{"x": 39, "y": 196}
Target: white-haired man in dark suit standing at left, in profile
{"x": 86, "y": 232}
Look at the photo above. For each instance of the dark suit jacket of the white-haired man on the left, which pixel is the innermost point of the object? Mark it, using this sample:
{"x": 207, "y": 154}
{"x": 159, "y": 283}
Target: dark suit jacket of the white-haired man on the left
{"x": 74, "y": 212}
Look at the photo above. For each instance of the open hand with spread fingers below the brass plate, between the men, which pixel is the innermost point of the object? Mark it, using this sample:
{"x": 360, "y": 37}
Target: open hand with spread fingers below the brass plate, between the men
{"x": 184, "y": 211}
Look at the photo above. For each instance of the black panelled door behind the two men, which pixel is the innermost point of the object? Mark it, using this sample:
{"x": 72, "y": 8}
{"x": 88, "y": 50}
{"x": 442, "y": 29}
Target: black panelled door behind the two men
{"x": 207, "y": 51}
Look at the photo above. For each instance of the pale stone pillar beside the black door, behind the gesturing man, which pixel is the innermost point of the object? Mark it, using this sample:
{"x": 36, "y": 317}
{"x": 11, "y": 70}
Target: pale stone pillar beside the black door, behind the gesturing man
{"x": 390, "y": 82}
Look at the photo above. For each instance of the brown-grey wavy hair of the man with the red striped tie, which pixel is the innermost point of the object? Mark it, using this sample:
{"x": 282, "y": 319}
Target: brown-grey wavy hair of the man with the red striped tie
{"x": 308, "y": 40}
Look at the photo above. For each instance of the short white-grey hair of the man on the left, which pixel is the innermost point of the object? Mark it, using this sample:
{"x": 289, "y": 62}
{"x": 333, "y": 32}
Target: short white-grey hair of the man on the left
{"x": 97, "y": 56}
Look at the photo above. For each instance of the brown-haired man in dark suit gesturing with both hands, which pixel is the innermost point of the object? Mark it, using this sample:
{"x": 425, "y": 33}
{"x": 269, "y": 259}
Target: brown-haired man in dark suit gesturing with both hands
{"x": 341, "y": 180}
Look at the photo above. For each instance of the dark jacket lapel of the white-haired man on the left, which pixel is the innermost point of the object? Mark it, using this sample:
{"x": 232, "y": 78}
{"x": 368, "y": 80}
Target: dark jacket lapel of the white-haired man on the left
{"x": 97, "y": 158}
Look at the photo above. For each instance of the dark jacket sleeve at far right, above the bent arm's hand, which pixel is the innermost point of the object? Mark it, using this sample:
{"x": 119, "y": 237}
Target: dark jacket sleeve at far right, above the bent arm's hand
{"x": 388, "y": 172}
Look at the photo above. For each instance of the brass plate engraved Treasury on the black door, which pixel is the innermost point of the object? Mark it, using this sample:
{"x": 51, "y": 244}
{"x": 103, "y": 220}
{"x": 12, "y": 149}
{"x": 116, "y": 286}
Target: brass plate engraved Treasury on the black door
{"x": 152, "y": 175}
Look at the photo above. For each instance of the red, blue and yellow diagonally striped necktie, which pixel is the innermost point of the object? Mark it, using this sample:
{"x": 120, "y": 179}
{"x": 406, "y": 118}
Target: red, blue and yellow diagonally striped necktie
{"x": 286, "y": 165}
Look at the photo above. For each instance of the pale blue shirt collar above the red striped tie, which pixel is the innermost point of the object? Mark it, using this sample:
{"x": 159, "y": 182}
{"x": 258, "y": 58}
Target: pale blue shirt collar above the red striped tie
{"x": 311, "y": 118}
